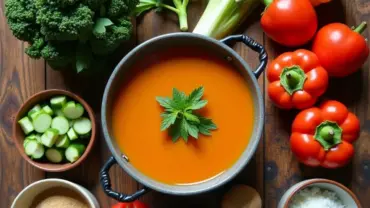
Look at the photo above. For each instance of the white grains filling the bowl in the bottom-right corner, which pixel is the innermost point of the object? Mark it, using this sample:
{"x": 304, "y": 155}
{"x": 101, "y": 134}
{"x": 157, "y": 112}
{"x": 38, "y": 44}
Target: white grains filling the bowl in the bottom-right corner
{"x": 315, "y": 197}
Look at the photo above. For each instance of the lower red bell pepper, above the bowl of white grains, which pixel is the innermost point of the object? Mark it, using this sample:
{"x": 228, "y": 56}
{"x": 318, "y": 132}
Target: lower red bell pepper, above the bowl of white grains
{"x": 323, "y": 136}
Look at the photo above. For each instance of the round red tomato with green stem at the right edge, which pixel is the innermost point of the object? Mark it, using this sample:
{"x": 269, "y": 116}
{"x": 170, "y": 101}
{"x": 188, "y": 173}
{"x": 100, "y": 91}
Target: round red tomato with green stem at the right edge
{"x": 341, "y": 51}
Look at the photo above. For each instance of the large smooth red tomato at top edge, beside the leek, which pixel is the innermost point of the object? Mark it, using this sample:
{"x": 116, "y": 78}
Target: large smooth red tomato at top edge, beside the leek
{"x": 289, "y": 22}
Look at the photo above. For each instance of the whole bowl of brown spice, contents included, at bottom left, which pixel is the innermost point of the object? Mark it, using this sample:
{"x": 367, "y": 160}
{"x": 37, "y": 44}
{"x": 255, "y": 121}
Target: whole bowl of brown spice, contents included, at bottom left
{"x": 55, "y": 193}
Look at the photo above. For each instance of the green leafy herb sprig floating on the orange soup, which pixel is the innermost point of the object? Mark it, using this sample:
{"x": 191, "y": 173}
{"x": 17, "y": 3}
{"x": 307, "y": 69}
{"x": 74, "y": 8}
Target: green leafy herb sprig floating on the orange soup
{"x": 180, "y": 117}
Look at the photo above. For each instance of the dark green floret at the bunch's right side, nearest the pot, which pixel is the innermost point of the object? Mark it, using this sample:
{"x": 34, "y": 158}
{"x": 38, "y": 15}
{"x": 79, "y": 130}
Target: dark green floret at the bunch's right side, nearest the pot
{"x": 107, "y": 42}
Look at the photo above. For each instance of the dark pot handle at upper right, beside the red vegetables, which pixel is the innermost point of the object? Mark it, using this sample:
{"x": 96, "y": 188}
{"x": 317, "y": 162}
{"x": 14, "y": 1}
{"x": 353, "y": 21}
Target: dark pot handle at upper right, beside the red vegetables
{"x": 254, "y": 46}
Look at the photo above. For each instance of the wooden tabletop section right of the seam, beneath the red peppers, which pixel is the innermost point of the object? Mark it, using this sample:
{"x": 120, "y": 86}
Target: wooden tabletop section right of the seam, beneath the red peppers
{"x": 282, "y": 169}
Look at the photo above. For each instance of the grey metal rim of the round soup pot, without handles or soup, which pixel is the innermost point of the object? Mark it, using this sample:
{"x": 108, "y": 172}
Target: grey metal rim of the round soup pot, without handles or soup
{"x": 237, "y": 167}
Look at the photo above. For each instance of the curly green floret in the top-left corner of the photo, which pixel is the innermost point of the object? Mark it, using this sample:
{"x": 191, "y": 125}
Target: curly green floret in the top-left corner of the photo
{"x": 21, "y": 19}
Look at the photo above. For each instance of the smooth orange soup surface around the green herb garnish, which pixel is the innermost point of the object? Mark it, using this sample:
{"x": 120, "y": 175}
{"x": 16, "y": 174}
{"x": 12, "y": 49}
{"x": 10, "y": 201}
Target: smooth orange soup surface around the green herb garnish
{"x": 136, "y": 116}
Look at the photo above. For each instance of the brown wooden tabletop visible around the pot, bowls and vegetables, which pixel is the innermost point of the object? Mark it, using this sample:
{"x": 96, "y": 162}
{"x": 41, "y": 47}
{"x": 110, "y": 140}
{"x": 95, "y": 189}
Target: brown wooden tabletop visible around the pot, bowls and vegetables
{"x": 273, "y": 169}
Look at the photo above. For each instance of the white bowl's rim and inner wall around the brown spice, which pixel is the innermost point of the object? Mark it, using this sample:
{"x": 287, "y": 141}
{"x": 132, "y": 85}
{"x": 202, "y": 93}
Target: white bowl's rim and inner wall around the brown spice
{"x": 26, "y": 196}
